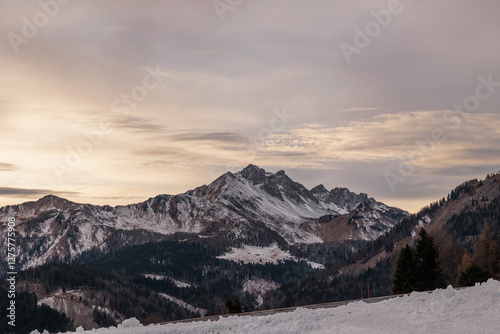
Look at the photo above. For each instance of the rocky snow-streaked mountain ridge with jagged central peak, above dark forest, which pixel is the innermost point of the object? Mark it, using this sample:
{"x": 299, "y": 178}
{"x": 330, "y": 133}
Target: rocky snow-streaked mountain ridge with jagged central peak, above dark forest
{"x": 250, "y": 206}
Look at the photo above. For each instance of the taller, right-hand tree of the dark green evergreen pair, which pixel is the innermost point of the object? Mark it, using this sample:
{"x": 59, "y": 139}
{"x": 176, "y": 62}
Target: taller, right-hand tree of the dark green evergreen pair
{"x": 429, "y": 272}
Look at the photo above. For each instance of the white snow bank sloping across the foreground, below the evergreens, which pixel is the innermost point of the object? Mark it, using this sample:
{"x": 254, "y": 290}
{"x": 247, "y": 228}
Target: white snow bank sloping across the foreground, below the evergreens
{"x": 472, "y": 310}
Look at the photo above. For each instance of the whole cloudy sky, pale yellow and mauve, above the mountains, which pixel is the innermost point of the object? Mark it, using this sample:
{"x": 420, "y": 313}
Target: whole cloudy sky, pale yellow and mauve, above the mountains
{"x": 113, "y": 102}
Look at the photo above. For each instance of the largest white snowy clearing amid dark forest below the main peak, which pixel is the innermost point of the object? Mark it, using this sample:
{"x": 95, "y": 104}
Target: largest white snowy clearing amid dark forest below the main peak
{"x": 270, "y": 254}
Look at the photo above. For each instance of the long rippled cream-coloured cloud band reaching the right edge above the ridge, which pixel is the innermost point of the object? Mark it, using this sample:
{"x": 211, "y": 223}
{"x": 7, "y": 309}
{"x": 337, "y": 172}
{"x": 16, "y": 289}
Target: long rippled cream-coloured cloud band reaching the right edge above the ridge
{"x": 395, "y": 136}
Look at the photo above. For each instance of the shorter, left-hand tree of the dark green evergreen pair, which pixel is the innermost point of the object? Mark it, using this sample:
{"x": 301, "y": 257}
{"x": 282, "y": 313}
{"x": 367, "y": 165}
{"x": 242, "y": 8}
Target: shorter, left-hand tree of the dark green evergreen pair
{"x": 404, "y": 278}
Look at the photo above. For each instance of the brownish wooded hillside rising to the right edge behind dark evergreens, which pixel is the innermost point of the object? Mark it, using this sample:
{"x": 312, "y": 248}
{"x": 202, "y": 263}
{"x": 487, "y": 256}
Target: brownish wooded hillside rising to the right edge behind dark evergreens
{"x": 455, "y": 222}
